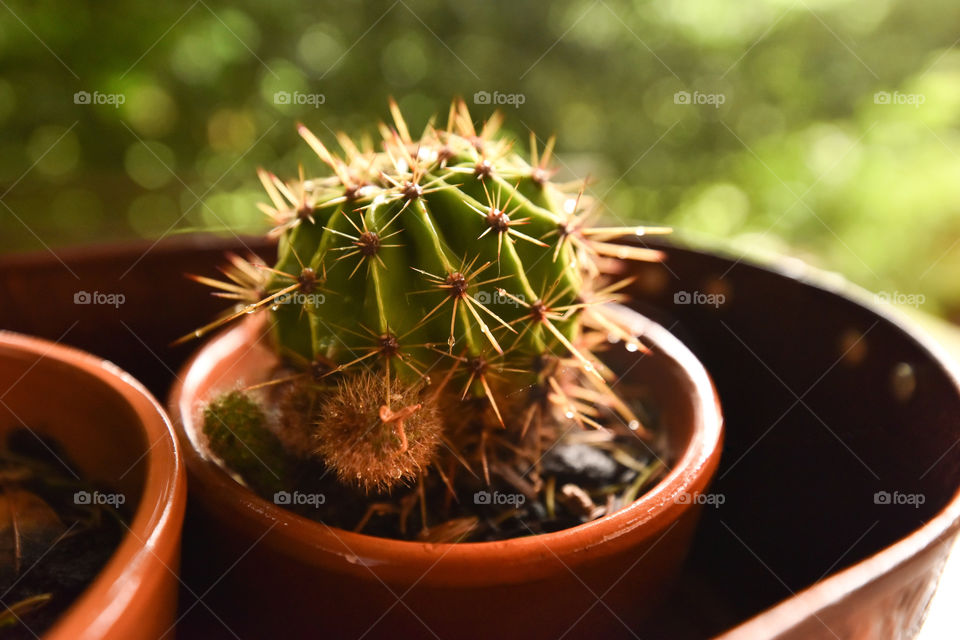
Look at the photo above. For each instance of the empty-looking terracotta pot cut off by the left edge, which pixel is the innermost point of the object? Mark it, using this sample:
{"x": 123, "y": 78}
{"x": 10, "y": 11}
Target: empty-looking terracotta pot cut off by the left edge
{"x": 119, "y": 439}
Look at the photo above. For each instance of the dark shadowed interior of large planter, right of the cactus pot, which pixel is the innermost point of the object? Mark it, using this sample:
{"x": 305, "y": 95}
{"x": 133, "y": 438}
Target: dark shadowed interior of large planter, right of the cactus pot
{"x": 841, "y": 429}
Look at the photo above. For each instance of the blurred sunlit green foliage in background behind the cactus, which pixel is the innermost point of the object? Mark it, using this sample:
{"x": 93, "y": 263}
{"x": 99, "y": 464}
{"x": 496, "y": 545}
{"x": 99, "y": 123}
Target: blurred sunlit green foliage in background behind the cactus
{"x": 802, "y": 156}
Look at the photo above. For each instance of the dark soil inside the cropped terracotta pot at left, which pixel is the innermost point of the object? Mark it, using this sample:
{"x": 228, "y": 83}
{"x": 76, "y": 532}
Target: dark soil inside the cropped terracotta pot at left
{"x": 56, "y": 534}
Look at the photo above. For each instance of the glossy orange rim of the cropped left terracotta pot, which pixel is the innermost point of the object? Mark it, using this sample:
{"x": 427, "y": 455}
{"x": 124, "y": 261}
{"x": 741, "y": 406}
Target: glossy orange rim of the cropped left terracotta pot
{"x": 159, "y": 514}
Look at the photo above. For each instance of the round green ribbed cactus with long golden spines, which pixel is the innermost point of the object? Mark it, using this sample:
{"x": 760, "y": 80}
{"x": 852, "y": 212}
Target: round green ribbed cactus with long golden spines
{"x": 443, "y": 299}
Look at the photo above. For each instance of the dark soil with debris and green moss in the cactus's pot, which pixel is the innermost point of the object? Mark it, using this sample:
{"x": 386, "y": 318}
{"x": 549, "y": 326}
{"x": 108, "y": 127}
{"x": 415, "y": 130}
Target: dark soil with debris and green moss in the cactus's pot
{"x": 583, "y": 476}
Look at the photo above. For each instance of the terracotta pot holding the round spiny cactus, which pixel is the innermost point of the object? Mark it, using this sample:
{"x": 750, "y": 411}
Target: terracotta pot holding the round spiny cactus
{"x": 300, "y": 578}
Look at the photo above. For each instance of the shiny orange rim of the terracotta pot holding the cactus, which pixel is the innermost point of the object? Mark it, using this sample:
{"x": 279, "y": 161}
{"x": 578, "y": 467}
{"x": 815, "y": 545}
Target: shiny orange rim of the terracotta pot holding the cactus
{"x": 696, "y": 464}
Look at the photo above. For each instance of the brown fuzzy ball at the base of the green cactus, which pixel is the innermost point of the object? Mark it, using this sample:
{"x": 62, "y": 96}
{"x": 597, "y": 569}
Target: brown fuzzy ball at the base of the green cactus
{"x": 373, "y": 443}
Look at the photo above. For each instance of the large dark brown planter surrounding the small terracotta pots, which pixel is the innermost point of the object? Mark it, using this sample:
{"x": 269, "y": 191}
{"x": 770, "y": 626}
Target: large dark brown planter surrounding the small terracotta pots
{"x": 799, "y": 507}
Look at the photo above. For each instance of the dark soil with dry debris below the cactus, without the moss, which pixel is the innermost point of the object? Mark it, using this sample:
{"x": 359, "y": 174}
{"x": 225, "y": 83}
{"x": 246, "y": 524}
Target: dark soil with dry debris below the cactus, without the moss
{"x": 584, "y": 476}
